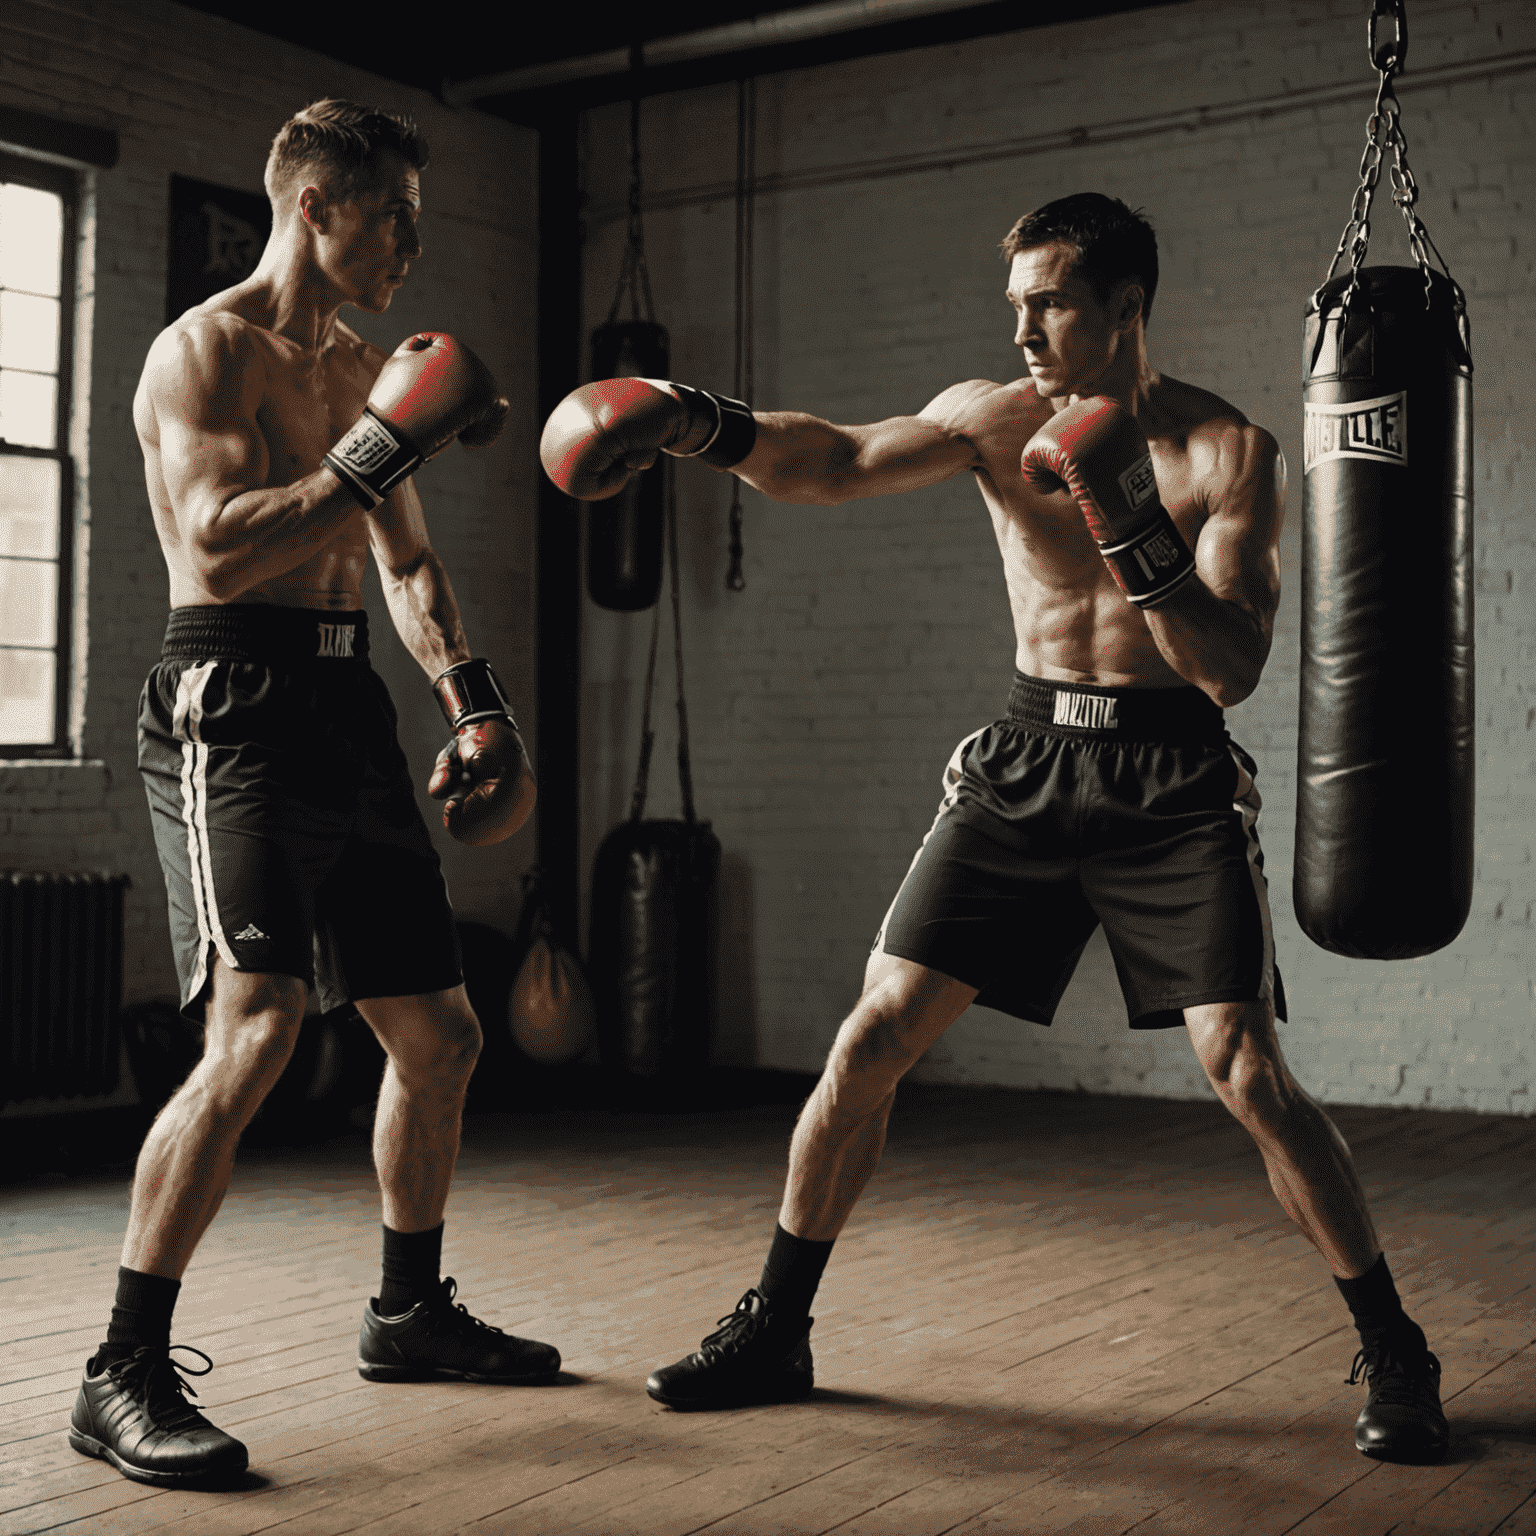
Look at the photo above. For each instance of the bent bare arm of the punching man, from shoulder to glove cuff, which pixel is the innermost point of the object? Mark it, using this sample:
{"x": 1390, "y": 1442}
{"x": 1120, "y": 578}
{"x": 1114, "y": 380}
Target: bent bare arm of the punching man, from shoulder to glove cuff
{"x": 1216, "y": 632}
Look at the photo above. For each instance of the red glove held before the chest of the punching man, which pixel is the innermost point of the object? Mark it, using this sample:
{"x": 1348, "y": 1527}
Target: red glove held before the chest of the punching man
{"x": 1097, "y": 452}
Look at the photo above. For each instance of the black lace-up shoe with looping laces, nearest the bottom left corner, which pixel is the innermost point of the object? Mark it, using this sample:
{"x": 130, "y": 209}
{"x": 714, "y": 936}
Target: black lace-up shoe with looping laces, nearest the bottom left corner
{"x": 134, "y": 1414}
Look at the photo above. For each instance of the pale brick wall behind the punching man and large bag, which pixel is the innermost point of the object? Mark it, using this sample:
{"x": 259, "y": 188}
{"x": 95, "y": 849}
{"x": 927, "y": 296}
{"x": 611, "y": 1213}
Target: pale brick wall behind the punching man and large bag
{"x": 829, "y": 695}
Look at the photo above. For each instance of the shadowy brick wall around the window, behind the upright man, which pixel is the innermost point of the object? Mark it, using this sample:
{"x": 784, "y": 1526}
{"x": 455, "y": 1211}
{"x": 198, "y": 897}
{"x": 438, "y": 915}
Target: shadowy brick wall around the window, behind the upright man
{"x": 204, "y": 98}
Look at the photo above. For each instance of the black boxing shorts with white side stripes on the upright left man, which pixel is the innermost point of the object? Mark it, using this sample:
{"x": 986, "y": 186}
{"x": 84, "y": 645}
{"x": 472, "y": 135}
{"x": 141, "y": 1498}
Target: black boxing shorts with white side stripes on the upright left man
{"x": 283, "y": 809}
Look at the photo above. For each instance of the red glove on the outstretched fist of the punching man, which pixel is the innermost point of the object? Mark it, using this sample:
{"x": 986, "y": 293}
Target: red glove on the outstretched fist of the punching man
{"x": 601, "y": 434}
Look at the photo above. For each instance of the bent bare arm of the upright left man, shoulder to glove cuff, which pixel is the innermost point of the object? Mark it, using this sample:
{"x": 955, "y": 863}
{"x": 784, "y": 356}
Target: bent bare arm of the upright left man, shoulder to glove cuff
{"x": 199, "y": 399}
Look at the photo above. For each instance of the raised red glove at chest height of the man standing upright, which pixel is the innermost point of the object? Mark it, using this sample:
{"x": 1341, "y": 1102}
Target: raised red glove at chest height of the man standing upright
{"x": 431, "y": 391}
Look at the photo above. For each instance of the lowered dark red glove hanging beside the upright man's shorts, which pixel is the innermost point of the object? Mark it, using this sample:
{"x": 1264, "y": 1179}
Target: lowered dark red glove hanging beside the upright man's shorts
{"x": 483, "y": 773}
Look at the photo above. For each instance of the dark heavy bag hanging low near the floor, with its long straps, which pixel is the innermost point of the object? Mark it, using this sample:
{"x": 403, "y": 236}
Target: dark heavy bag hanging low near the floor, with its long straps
{"x": 655, "y": 915}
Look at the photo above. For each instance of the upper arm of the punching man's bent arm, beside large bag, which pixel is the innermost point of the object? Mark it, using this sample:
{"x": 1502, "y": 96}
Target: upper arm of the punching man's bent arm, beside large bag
{"x": 1239, "y": 548}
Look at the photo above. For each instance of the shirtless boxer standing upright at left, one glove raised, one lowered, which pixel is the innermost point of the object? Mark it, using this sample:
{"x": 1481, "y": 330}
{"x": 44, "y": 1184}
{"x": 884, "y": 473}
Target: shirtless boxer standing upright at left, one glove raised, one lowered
{"x": 279, "y": 451}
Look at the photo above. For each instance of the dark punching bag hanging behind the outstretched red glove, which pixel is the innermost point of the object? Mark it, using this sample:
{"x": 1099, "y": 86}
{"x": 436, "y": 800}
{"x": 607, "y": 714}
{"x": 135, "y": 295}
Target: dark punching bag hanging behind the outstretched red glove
{"x": 624, "y": 534}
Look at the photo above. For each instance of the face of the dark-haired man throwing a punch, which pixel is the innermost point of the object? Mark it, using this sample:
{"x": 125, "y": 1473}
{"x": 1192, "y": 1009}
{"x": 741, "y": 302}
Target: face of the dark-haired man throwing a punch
{"x": 1068, "y": 334}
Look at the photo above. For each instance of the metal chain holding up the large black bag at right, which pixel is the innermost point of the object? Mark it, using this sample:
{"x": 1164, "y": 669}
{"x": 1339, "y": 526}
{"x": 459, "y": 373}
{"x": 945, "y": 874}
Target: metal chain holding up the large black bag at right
{"x": 1383, "y": 134}
